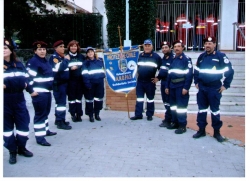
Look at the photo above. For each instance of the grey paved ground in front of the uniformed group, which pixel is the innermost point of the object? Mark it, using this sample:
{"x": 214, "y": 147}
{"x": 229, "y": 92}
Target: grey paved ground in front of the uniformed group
{"x": 119, "y": 147}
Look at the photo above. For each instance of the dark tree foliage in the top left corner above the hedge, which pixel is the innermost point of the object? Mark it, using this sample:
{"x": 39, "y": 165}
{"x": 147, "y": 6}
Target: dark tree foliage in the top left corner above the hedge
{"x": 18, "y": 14}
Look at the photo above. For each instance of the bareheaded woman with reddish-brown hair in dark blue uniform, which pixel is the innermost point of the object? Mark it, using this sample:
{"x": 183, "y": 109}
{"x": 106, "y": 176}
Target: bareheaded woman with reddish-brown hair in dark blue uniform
{"x": 75, "y": 84}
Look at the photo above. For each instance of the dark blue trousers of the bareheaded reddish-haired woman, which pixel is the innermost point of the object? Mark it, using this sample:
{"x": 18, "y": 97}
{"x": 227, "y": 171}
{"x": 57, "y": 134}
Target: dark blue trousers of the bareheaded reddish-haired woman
{"x": 75, "y": 93}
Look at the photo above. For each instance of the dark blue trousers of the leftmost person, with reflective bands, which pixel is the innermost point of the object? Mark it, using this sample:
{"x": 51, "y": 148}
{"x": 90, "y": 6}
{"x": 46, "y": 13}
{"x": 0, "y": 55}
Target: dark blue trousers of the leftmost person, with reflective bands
{"x": 15, "y": 115}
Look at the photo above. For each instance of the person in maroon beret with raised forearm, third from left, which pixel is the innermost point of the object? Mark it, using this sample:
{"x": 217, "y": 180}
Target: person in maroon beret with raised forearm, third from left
{"x": 61, "y": 76}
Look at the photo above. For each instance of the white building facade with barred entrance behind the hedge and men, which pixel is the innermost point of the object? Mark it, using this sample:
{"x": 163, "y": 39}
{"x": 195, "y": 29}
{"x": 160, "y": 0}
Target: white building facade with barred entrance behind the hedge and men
{"x": 191, "y": 20}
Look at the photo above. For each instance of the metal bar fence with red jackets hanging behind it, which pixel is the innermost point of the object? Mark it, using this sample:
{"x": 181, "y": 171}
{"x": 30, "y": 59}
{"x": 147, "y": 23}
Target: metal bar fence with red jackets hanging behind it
{"x": 190, "y": 21}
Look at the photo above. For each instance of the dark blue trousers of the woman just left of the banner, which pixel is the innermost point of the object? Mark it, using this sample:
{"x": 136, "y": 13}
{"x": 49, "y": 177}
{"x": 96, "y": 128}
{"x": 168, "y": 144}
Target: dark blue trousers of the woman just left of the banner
{"x": 94, "y": 98}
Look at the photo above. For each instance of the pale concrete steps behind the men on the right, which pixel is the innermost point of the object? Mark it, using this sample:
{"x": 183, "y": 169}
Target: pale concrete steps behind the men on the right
{"x": 233, "y": 99}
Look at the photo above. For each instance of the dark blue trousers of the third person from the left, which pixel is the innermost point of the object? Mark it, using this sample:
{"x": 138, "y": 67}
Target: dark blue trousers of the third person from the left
{"x": 60, "y": 96}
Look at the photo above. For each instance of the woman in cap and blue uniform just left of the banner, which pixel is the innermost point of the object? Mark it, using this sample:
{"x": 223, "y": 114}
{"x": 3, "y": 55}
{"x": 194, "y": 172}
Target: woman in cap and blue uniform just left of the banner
{"x": 93, "y": 78}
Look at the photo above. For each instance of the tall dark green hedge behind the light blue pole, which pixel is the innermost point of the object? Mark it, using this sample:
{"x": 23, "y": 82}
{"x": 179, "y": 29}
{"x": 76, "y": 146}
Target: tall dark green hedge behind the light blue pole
{"x": 142, "y": 15}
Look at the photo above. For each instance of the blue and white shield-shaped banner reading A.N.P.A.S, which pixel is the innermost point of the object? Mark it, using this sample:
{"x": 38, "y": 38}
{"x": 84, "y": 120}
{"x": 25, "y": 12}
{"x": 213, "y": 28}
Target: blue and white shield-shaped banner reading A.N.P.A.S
{"x": 121, "y": 68}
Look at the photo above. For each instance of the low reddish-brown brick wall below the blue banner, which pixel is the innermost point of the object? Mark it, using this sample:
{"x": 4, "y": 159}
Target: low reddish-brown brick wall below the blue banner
{"x": 118, "y": 101}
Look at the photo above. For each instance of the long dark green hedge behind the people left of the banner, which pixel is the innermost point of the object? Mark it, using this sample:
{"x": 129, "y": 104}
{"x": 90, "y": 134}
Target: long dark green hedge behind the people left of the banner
{"x": 85, "y": 28}
